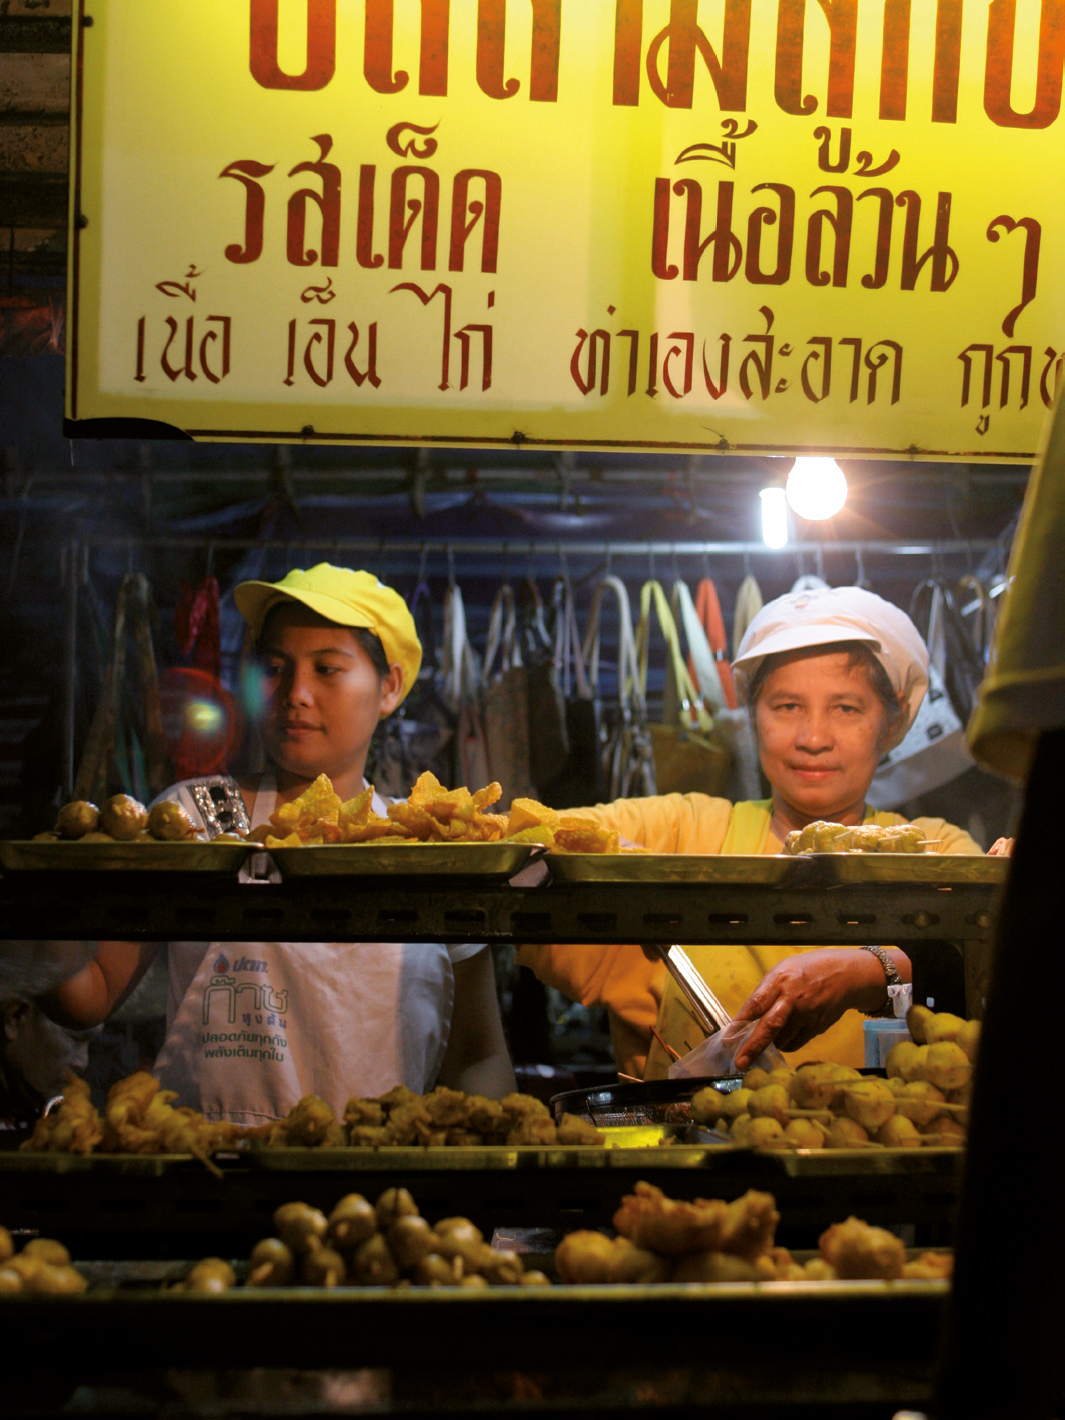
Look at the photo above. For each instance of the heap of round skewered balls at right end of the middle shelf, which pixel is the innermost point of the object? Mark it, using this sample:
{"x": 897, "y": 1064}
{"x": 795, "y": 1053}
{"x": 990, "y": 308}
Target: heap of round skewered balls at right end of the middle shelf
{"x": 820, "y": 1105}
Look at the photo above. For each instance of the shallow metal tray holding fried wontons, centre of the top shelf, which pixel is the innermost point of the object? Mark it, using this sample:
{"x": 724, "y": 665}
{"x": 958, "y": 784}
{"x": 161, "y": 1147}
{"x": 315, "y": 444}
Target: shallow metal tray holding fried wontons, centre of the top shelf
{"x": 404, "y": 861}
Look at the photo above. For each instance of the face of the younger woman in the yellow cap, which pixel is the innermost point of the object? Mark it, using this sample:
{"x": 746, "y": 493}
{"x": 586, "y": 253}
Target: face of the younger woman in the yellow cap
{"x": 323, "y": 697}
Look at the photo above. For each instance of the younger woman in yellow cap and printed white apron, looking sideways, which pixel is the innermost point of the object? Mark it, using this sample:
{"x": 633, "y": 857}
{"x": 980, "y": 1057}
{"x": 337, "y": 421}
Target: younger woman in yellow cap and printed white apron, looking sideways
{"x": 255, "y": 1026}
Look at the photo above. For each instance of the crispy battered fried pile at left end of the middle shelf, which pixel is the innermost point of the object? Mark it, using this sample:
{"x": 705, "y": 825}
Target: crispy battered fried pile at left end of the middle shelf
{"x": 138, "y": 1118}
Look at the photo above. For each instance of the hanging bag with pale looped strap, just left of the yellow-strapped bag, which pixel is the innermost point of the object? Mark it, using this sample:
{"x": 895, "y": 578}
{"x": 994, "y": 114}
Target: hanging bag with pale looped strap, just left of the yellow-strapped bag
{"x": 626, "y": 759}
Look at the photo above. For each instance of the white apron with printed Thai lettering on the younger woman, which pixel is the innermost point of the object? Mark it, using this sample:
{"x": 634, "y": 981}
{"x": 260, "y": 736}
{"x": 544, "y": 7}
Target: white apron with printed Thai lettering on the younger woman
{"x": 255, "y": 1026}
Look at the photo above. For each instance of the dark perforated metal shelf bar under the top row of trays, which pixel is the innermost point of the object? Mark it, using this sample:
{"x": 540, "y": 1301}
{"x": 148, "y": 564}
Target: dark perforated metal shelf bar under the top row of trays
{"x": 144, "y": 907}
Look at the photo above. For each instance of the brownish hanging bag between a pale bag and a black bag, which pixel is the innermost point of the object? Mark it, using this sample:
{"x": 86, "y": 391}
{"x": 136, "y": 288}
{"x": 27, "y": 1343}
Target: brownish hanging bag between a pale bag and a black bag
{"x": 505, "y": 698}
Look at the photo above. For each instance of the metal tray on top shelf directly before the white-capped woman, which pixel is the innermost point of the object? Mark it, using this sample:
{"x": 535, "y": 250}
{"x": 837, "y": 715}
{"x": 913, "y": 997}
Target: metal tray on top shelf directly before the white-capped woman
{"x": 777, "y": 871}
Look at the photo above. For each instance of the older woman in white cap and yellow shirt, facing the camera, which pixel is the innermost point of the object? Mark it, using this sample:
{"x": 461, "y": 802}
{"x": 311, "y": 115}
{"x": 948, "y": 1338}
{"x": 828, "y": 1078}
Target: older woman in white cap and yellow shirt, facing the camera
{"x": 833, "y": 679}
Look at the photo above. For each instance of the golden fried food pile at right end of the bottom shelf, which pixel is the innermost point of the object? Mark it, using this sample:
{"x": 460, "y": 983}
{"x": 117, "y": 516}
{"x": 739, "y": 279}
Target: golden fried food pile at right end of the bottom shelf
{"x": 709, "y": 1240}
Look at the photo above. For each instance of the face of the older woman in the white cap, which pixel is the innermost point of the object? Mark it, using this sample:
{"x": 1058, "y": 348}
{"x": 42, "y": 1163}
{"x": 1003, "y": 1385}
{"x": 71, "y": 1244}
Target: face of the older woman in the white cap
{"x": 820, "y": 733}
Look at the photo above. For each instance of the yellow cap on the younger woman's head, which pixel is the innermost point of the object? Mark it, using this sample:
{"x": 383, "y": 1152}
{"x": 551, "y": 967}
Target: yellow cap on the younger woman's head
{"x": 346, "y": 599}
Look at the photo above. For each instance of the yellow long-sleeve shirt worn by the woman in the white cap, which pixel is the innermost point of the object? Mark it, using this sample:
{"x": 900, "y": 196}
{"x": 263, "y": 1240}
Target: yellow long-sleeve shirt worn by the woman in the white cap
{"x": 638, "y": 993}
